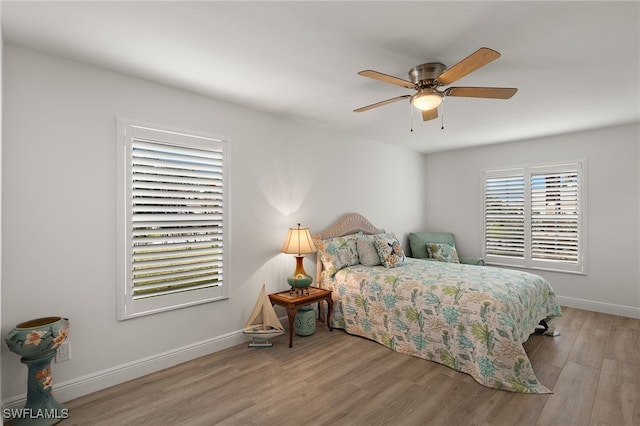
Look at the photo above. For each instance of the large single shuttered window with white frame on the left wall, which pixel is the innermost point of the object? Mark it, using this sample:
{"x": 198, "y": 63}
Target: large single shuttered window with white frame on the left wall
{"x": 172, "y": 202}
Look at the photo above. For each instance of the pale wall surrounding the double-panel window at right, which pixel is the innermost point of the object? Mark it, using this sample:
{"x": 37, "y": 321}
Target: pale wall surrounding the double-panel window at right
{"x": 454, "y": 202}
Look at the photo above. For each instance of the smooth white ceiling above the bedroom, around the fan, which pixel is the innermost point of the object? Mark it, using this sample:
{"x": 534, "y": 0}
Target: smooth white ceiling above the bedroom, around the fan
{"x": 576, "y": 64}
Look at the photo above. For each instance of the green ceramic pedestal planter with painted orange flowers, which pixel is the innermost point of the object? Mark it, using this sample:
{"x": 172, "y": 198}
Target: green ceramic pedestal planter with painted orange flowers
{"x": 37, "y": 341}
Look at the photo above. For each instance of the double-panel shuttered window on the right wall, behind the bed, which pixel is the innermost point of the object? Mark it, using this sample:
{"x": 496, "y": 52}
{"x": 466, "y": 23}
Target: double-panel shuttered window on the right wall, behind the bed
{"x": 533, "y": 217}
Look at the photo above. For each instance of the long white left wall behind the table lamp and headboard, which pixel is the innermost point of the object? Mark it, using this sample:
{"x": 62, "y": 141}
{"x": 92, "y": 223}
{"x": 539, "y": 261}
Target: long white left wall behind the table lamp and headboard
{"x": 58, "y": 214}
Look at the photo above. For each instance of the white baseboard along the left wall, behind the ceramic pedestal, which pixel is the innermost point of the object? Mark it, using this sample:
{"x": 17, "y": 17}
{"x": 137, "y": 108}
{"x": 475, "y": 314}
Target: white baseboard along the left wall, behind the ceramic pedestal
{"x": 99, "y": 380}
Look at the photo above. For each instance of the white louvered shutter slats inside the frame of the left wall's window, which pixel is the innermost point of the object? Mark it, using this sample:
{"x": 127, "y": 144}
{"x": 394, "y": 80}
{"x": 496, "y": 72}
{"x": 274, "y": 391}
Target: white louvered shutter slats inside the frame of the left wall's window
{"x": 177, "y": 205}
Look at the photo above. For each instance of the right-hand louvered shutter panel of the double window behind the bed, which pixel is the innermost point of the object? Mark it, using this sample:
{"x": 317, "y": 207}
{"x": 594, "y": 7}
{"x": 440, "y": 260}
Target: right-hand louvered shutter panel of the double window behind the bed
{"x": 554, "y": 216}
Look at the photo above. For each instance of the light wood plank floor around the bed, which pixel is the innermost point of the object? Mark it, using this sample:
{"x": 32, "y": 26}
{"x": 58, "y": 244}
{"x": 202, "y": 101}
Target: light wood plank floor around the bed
{"x": 332, "y": 378}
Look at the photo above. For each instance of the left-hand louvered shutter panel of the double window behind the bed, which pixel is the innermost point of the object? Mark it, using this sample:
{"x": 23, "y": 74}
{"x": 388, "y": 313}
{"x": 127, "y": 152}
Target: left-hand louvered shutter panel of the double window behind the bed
{"x": 504, "y": 216}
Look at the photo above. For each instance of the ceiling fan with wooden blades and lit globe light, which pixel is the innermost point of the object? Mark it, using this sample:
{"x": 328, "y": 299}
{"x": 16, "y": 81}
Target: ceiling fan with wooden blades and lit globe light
{"x": 427, "y": 79}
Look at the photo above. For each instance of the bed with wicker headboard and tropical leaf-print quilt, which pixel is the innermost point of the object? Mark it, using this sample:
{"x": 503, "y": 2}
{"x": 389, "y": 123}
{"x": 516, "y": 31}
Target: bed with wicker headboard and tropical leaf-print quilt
{"x": 471, "y": 318}
